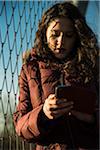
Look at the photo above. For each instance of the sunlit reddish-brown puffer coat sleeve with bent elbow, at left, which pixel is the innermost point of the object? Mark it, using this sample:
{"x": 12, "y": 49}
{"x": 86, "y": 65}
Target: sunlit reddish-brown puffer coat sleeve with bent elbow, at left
{"x": 30, "y": 123}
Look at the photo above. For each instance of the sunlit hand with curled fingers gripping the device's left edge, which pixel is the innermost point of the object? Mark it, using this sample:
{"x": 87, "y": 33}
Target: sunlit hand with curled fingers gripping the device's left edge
{"x": 54, "y": 108}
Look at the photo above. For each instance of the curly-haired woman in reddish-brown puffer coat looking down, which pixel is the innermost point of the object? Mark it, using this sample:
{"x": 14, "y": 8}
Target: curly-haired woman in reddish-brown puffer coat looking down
{"x": 65, "y": 52}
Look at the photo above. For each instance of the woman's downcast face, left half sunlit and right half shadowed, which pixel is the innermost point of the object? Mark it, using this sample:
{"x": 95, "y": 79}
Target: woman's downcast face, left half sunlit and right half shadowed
{"x": 61, "y": 37}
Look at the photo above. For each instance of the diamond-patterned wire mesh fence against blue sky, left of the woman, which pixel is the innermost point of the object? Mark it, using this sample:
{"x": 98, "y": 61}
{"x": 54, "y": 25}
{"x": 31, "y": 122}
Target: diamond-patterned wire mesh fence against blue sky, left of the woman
{"x": 18, "y": 25}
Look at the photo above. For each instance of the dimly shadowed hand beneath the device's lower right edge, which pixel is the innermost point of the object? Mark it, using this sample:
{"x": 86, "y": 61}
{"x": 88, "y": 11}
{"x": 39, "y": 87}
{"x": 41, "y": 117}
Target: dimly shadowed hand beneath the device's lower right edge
{"x": 83, "y": 116}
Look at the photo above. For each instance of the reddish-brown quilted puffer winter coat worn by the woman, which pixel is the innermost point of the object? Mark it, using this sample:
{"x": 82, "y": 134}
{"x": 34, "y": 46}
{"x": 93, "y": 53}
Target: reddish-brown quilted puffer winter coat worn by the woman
{"x": 32, "y": 124}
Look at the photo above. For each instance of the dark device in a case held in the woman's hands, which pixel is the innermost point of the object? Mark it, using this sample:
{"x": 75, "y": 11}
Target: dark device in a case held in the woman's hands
{"x": 84, "y": 99}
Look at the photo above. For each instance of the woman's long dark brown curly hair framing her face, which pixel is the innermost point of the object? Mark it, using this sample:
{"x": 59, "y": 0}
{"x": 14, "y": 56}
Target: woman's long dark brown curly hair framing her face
{"x": 85, "y": 59}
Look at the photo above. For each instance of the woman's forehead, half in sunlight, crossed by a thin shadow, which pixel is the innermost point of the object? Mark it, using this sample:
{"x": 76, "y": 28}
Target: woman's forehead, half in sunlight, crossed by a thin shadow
{"x": 62, "y": 24}
